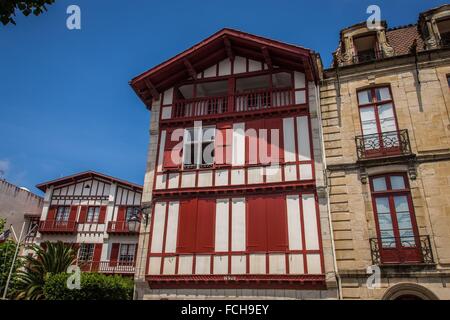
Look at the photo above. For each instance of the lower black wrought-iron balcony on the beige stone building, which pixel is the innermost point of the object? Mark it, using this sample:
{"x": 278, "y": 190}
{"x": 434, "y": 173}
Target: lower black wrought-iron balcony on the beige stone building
{"x": 413, "y": 250}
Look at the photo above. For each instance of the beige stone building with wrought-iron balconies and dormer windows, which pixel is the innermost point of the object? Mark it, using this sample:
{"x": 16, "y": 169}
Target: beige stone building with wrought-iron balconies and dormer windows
{"x": 386, "y": 130}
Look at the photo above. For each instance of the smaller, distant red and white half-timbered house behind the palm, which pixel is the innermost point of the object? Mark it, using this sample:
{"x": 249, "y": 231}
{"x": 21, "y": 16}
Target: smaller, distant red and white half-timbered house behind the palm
{"x": 92, "y": 211}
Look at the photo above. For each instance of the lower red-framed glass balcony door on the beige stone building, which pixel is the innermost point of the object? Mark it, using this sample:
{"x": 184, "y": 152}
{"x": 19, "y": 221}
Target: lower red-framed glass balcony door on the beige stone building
{"x": 398, "y": 238}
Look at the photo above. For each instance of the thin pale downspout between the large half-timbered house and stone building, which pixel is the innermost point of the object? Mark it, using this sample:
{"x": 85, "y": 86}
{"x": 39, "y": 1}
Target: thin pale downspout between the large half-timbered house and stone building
{"x": 330, "y": 222}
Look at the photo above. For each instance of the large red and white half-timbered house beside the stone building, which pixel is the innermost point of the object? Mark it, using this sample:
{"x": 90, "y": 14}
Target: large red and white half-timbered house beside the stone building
{"x": 234, "y": 176}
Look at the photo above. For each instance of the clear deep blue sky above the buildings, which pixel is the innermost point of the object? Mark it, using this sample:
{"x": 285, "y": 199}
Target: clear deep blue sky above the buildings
{"x": 65, "y": 102}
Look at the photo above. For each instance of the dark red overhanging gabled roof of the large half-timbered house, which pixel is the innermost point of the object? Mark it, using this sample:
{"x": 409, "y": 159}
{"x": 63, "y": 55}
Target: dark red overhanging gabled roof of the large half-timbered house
{"x": 226, "y": 43}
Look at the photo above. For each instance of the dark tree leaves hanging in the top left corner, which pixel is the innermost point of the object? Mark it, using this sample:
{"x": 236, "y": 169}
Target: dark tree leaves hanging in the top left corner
{"x": 8, "y": 8}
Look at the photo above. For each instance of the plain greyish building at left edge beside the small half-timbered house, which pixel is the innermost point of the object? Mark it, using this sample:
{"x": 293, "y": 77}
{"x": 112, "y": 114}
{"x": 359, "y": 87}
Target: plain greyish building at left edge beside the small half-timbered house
{"x": 19, "y": 205}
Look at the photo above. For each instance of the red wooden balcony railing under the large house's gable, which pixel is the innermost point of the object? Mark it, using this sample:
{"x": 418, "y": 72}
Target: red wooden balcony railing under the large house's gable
{"x": 256, "y": 100}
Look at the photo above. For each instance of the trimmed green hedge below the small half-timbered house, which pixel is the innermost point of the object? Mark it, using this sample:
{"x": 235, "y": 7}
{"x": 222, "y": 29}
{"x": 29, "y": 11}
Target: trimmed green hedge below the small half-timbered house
{"x": 93, "y": 286}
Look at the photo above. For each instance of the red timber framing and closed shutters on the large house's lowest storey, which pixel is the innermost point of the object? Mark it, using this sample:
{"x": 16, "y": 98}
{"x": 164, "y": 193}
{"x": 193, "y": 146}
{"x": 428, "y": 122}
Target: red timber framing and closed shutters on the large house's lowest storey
{"x": 266, "y": 230}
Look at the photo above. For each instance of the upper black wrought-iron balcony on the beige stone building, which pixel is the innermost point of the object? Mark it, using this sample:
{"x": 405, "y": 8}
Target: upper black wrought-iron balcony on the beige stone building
{"x": 380, "y": 145}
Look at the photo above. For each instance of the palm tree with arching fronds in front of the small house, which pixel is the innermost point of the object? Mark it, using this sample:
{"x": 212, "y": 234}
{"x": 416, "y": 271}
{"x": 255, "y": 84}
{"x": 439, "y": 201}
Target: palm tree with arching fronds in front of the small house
{"x": 51, "y": 258}
